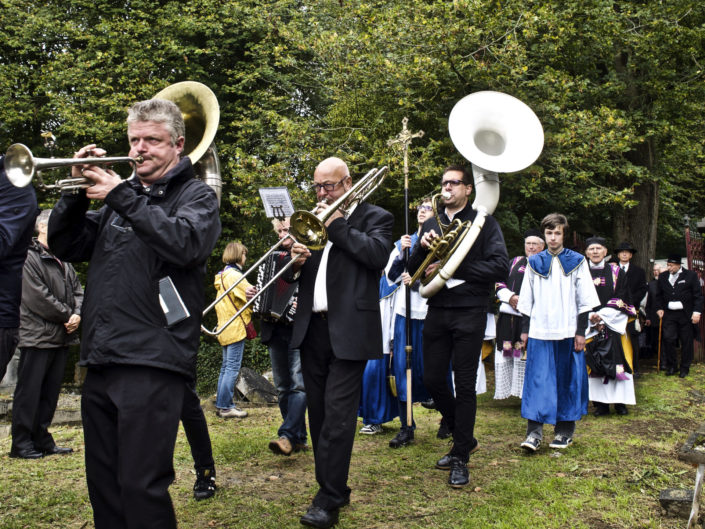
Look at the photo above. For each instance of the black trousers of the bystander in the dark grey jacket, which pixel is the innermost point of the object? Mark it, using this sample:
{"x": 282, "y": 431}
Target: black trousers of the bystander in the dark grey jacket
{"x": 37, "y": 391}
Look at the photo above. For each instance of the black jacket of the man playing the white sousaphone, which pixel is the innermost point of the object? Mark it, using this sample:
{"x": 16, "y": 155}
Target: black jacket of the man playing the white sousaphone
{"x": 485, "y": 264}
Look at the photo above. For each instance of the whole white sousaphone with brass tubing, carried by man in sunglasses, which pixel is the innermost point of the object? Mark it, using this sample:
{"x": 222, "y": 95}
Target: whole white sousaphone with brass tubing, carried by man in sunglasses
{"x": 497, "y": 133}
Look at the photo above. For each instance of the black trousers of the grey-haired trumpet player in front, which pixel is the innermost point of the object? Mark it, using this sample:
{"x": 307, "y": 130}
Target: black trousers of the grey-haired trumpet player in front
{"x": 130, "y": 419}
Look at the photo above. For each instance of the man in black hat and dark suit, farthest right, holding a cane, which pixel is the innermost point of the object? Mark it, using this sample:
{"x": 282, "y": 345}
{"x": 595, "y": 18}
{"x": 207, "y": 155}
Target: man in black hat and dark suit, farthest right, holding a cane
{"x": 679, "y": 302}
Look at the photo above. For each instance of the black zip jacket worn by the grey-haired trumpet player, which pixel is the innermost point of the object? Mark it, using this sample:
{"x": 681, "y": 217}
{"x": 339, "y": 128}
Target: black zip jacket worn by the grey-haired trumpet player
{"x": 137, "y": 238}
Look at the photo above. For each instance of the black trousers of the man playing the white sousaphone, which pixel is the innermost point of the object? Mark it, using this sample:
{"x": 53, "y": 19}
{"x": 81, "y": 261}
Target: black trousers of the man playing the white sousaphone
{"x": 454, "y": 335}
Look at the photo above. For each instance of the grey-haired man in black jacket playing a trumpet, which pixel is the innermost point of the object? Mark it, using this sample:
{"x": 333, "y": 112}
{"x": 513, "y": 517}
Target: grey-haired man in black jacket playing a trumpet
{"x": 157, "y": 228}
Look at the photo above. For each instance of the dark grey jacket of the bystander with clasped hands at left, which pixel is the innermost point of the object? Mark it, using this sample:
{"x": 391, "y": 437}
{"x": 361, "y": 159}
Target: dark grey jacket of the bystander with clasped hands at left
{"x": 51, "y": 294}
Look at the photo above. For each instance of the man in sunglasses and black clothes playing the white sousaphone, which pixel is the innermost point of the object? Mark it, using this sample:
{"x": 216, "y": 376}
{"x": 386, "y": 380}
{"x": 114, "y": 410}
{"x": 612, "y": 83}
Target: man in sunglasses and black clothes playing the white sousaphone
{"x": 456, "y": 319}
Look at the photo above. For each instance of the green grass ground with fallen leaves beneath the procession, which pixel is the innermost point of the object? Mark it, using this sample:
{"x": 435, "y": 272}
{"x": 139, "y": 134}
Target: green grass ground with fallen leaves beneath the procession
{"x": 609, "y": 479}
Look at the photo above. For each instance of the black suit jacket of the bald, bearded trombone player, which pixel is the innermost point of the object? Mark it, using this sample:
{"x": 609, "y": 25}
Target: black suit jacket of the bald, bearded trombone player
{"x": 361, "y": 246}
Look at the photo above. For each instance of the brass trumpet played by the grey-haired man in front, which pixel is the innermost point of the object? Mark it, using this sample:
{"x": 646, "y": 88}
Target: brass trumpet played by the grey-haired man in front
{"x": 21, "y": 167}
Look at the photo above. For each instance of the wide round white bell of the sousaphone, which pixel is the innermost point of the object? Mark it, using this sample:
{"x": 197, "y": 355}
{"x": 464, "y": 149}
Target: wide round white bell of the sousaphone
{"x": 496, "y": 131}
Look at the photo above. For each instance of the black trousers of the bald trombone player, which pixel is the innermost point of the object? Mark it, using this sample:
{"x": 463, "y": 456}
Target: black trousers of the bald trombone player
{"x": 333, "y": 388}
